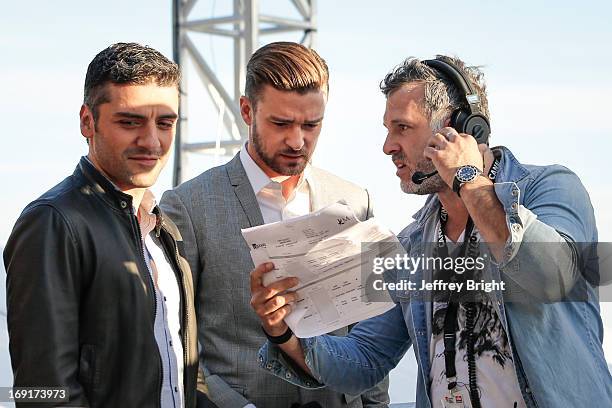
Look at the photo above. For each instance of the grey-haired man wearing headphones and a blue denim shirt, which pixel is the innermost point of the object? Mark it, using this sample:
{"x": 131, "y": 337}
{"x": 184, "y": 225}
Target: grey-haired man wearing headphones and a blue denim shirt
{"x": 535, "y": 338}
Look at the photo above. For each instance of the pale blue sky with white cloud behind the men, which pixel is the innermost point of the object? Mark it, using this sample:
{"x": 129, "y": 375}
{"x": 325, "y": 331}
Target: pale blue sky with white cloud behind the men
{"x": 546, "y": 64}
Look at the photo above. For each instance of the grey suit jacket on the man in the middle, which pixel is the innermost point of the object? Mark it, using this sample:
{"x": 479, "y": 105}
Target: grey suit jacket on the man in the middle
{"x": 209, "y": 211}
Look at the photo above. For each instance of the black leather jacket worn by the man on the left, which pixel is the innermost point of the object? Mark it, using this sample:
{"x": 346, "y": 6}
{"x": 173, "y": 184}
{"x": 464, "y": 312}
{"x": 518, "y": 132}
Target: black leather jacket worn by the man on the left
{"x": 80, "y": 299}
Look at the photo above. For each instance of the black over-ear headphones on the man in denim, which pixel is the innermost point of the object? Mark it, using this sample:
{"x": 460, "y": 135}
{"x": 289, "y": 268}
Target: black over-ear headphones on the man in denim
{"x": 464, "y": 120}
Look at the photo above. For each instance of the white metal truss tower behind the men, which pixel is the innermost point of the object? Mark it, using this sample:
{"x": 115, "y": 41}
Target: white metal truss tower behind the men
{"x": 244, "y": 27}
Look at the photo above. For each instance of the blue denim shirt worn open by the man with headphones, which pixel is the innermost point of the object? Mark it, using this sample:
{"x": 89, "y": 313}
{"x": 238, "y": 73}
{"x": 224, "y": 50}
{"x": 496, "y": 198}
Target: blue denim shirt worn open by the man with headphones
{"x": 557, "y": 345}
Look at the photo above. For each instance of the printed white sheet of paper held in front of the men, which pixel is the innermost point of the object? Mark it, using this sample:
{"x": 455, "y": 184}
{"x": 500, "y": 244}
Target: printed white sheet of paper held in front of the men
{"x": 326, "y": 251}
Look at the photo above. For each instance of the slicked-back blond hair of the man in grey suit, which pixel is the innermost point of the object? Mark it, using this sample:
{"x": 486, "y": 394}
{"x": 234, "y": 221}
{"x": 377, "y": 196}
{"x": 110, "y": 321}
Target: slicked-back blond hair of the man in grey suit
{"x": 286, "y": 66}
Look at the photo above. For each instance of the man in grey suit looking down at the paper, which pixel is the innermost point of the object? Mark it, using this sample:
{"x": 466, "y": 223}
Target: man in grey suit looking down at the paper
{"x": 271, "y": 179}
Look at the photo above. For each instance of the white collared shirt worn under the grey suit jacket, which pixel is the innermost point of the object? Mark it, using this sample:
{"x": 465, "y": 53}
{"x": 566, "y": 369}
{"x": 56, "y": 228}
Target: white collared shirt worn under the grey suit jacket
{"x": 269, "y": 193}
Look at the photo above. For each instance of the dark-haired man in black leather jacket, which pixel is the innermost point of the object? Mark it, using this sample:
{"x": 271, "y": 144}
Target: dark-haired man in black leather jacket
{"x": 99, "y": 297}
